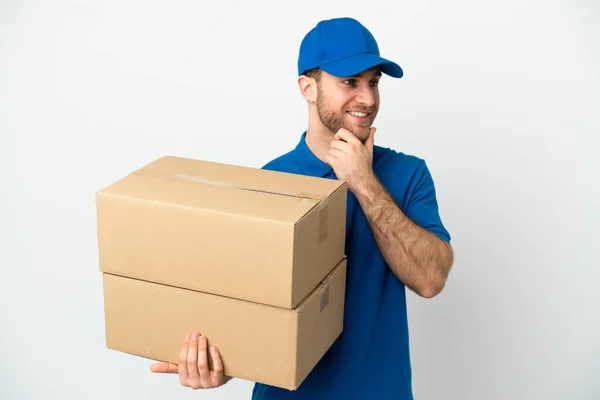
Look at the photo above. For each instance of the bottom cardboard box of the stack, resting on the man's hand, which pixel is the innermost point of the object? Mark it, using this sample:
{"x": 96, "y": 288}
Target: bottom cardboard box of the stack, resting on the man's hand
{"x": 258, "y": 342}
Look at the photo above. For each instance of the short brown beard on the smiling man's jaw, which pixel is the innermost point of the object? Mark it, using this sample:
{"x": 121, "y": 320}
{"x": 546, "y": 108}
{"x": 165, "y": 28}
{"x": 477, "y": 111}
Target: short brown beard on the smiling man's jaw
{"x": 335, "y": 120}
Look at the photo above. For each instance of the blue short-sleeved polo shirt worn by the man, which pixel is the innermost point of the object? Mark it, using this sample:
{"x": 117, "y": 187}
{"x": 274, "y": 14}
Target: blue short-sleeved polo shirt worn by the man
{"x": 370, "y": 359}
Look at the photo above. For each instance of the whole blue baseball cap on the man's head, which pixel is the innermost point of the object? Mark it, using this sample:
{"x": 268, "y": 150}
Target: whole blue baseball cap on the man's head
{"x": 343, "y": 47}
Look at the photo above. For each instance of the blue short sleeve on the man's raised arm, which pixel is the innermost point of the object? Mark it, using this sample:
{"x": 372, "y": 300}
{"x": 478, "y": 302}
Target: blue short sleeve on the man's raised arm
{"x": 422, "y": 206}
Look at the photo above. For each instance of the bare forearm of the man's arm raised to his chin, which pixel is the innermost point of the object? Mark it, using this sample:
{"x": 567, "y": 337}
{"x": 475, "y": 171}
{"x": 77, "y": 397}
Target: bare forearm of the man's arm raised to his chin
{"x": 419, "y": 258}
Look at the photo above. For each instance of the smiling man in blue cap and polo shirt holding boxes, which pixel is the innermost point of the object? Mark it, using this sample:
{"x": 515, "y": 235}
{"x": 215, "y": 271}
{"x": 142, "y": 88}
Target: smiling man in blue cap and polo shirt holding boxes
{"x": 395, "y": 238}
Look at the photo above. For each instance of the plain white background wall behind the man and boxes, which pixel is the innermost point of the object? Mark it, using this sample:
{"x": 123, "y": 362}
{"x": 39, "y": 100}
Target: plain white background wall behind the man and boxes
{"x": 501, "y": 98}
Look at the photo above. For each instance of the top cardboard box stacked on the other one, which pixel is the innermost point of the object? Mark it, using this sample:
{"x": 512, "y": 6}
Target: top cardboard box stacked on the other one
{"x": 246, "y": 233}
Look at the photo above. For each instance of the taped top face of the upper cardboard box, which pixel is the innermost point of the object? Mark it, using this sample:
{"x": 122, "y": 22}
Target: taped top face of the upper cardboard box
{"x": 224, "y": 188}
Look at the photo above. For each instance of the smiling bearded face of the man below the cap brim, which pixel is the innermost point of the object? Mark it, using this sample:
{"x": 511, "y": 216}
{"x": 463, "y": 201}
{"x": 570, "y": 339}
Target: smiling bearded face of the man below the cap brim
{"x": 349, "y": 102}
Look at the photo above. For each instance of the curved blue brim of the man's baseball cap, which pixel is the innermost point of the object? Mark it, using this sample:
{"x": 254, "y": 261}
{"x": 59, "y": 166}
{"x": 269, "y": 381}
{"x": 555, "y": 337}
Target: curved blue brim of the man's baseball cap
{"x": 354, "y": 65}
